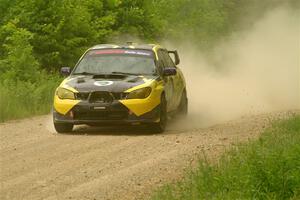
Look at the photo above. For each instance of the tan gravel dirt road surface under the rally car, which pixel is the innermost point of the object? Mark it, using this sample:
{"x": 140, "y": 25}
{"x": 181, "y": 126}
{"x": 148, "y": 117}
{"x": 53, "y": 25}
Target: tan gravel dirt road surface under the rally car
{"x": 108, "y": 163}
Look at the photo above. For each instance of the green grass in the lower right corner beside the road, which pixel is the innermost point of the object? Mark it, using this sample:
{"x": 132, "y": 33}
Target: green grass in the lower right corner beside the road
{"x": 268, "y": 168}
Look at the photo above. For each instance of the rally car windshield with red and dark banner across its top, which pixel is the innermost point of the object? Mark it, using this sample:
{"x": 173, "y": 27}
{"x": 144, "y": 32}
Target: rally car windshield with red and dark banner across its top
{"x": 110, "y": 61}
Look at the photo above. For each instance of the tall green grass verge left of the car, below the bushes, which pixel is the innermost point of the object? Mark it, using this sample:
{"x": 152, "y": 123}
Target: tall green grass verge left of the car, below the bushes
{"x": 24, "y": 99}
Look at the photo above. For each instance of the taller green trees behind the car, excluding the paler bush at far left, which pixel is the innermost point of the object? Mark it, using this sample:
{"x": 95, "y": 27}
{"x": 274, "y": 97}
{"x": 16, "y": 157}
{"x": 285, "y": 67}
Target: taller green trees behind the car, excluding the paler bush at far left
{"x": 62, "y": 30}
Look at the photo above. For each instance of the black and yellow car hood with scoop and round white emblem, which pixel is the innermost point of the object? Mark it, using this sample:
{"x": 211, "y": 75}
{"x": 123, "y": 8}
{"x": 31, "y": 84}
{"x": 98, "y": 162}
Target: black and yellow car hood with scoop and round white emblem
{"x": 110, "y": 83}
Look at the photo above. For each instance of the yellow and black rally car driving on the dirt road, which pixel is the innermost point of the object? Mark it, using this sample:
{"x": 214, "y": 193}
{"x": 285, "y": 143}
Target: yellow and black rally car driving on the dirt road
{"x": 121, "y": 84}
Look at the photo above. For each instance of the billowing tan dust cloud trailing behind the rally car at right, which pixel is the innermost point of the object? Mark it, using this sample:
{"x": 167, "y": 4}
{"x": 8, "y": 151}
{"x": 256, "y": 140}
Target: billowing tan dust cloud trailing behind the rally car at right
{"x": 253, "y": 72}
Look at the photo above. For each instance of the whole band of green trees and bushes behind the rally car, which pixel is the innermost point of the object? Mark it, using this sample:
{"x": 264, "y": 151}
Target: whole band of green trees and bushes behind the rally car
{"x": 38, "y": 37}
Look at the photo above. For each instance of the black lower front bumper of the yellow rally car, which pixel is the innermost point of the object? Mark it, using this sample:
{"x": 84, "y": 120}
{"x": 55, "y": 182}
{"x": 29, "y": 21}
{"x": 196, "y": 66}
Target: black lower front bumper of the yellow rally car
{"x": 113, "y": 113}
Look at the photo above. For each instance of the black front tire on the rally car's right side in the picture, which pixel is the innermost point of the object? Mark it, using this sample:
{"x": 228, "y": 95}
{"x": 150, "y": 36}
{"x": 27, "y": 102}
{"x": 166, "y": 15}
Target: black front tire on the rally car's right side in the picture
{"x": 160, "y": 126}
